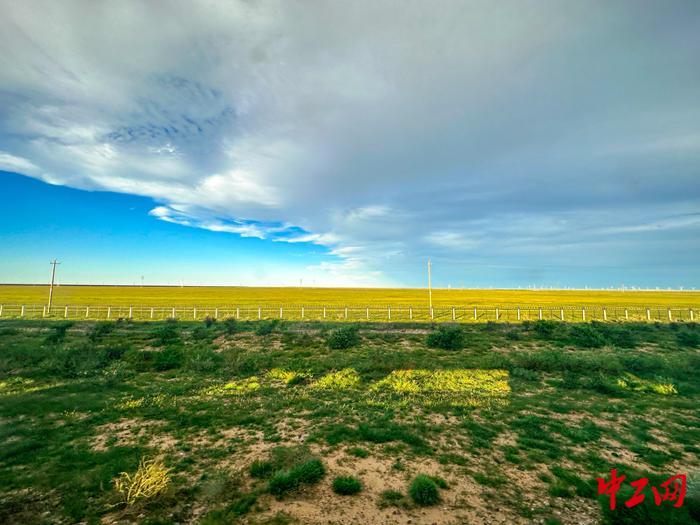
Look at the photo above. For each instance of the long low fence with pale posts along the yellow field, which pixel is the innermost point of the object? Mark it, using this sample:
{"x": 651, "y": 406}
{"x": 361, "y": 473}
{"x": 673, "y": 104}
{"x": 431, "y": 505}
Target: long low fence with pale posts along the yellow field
{"x": 463, "y": 314}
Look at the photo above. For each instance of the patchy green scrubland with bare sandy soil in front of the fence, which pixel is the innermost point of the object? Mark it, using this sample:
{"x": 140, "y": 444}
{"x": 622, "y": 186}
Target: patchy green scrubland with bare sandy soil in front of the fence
{"x": 271, "y": 423}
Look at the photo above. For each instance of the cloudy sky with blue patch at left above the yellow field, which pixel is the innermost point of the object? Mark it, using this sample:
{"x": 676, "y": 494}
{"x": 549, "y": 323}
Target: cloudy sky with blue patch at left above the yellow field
{"x": 516, "y": 144}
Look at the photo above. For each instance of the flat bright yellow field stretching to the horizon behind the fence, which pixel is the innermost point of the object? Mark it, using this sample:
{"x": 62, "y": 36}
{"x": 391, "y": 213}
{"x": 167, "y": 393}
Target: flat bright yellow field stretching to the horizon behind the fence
{"x": 237, "y": 295}
